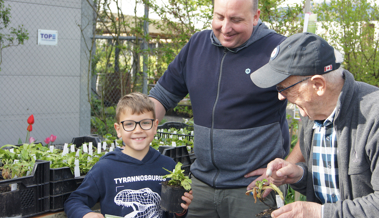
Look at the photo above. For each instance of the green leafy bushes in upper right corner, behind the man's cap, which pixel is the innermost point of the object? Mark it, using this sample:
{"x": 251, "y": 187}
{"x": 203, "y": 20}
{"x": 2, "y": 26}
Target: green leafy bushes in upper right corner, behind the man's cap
{"x": 352, "y": 28}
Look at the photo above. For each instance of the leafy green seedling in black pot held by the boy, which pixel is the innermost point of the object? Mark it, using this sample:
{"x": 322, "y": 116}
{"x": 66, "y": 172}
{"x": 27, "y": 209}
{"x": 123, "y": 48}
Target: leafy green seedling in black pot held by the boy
{"x": 173, "y": 189}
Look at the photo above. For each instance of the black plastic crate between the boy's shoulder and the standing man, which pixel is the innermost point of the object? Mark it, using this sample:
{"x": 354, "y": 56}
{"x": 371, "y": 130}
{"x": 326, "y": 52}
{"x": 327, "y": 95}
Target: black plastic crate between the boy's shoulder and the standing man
{"x": 179, "y": 154}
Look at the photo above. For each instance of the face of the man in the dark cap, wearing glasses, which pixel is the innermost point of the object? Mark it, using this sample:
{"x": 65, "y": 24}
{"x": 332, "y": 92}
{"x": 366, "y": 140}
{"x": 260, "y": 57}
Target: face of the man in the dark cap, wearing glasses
{"x": 300, "y": 95}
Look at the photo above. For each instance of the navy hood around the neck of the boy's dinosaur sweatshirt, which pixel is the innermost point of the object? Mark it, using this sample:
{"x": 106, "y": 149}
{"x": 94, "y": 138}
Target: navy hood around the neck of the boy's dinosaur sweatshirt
{"x": 117, "y": 155}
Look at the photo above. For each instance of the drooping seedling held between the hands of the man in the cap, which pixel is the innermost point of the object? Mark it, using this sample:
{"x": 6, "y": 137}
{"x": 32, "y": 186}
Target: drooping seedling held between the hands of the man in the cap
{"x": 257, "y": 192}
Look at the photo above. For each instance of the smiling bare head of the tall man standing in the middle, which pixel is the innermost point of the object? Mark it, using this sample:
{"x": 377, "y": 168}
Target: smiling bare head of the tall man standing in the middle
{"x": 233, "y": 21}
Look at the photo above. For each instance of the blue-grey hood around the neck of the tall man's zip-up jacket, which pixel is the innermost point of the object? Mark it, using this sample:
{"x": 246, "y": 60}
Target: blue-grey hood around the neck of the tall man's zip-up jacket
{"x": 259, "y": 31}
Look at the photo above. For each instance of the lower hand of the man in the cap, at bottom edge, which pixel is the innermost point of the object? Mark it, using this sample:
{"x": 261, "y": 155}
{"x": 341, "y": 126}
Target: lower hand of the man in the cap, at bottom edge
{"x": 298, "y": 209}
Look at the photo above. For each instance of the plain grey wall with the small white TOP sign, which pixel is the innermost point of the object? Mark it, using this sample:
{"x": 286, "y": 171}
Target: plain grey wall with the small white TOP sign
{"x": 46, "y": 80}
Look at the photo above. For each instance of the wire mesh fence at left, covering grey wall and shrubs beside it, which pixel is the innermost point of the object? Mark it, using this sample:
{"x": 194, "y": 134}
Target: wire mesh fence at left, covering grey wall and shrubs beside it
{"x": 72, "y": 83}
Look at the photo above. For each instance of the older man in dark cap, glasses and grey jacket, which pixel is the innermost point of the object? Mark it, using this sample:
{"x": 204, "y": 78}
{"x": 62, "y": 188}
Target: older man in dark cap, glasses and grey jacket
{"x": 340, "y": 134}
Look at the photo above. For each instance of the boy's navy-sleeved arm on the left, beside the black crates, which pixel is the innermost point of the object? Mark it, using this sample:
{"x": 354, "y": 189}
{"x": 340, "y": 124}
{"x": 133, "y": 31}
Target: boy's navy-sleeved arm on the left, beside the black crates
{"x": 82, "y": 199}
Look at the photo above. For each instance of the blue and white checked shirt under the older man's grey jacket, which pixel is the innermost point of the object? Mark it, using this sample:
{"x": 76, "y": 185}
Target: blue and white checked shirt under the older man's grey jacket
{"x": 325, "y": 165}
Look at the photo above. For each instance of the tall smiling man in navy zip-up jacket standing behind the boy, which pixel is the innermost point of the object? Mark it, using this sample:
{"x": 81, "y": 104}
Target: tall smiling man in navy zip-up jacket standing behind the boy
{"x": 238, "y": 127}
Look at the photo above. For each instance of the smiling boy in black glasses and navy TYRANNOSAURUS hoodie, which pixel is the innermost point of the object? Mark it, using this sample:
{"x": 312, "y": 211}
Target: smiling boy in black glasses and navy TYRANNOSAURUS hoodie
{"x": 127, "y": 182}
